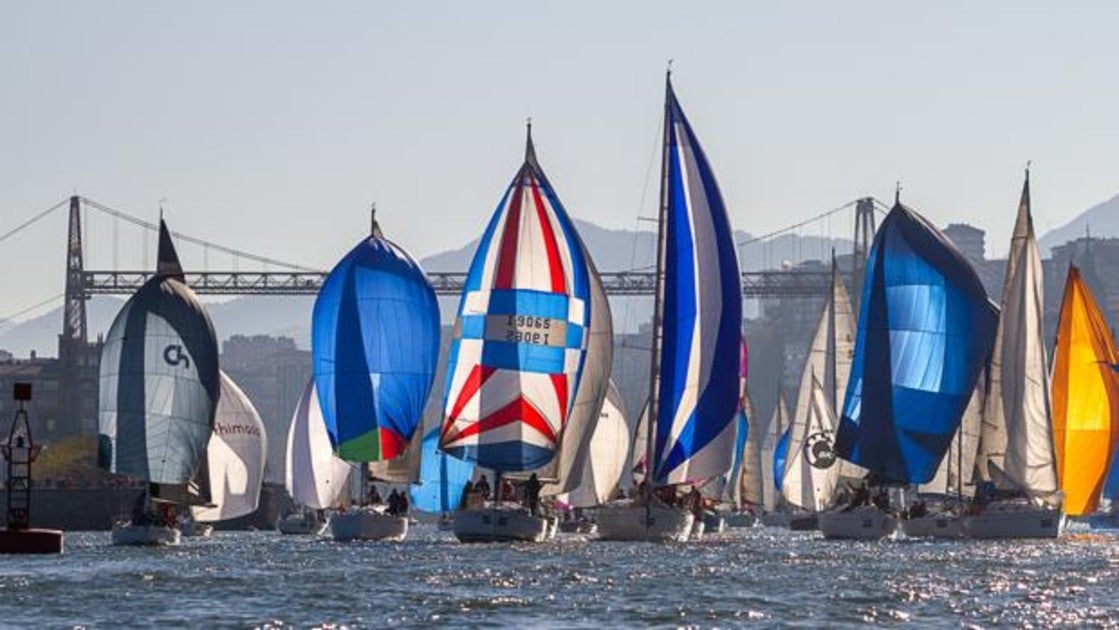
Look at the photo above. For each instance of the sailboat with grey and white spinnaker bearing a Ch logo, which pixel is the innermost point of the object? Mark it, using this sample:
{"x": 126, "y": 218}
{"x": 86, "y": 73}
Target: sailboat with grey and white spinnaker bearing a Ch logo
{"x": 159, "y": 391}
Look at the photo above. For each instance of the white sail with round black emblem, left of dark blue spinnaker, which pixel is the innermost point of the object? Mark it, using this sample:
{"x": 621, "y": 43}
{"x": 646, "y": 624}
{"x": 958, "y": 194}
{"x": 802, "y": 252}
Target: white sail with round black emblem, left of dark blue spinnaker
{"x": 812, "y": 471}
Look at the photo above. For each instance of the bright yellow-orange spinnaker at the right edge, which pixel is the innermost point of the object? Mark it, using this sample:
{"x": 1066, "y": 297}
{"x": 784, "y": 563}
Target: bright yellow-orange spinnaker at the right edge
{"x": 1085, "y": 397}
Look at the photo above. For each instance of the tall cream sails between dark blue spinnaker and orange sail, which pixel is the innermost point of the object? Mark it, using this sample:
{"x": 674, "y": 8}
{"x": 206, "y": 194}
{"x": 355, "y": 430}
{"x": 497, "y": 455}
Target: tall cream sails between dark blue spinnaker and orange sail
{"x": 1018, "y": 431}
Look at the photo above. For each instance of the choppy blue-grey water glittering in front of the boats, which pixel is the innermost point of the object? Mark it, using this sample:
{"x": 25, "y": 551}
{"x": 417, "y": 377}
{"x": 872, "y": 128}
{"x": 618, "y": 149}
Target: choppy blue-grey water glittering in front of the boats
{"x": 758, "y": 577}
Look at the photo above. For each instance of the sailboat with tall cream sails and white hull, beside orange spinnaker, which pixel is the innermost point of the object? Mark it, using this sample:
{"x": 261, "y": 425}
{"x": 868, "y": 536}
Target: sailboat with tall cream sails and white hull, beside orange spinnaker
{"x": 1020, "y": 496}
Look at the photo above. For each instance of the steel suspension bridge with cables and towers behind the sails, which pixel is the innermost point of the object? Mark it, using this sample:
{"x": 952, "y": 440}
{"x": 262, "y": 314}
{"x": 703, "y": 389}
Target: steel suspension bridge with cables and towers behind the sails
{"x": 77, "y": 355}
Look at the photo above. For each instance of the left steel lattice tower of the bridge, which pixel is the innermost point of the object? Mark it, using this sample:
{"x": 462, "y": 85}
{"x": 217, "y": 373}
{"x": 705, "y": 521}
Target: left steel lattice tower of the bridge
{"x": 79, "y": 361}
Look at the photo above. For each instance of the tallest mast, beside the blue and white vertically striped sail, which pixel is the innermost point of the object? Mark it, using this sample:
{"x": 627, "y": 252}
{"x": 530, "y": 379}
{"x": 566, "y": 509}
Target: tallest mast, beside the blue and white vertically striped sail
{"x": 659, "y": 300}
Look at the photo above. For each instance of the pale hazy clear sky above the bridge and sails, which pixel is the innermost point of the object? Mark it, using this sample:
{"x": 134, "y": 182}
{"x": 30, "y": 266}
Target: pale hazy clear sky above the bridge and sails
{"x": 271, "y": 126}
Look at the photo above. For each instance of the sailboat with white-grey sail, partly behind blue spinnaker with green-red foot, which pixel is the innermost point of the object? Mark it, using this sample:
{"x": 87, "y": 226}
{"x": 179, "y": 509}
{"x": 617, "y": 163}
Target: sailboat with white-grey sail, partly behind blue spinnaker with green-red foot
{"x": 315, "y": 477}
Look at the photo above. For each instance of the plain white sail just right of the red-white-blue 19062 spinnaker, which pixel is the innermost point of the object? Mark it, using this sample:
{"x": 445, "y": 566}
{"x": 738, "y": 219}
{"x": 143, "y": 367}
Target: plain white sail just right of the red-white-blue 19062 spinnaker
{"x": 607, "y": 457}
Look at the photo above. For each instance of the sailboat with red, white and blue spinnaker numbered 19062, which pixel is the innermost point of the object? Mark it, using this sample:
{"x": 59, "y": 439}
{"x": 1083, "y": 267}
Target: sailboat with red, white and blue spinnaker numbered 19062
{"x": 520, "y": 347}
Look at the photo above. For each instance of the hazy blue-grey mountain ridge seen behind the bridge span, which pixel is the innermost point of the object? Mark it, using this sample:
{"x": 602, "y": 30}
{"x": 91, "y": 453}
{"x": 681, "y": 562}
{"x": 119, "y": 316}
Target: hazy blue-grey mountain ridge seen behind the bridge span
{"x": 614, "y": 250}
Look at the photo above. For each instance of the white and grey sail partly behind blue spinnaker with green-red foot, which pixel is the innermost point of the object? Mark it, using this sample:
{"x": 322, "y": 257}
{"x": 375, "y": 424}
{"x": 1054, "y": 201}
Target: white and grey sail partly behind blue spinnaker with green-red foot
{"x": 315, "y": 477}
